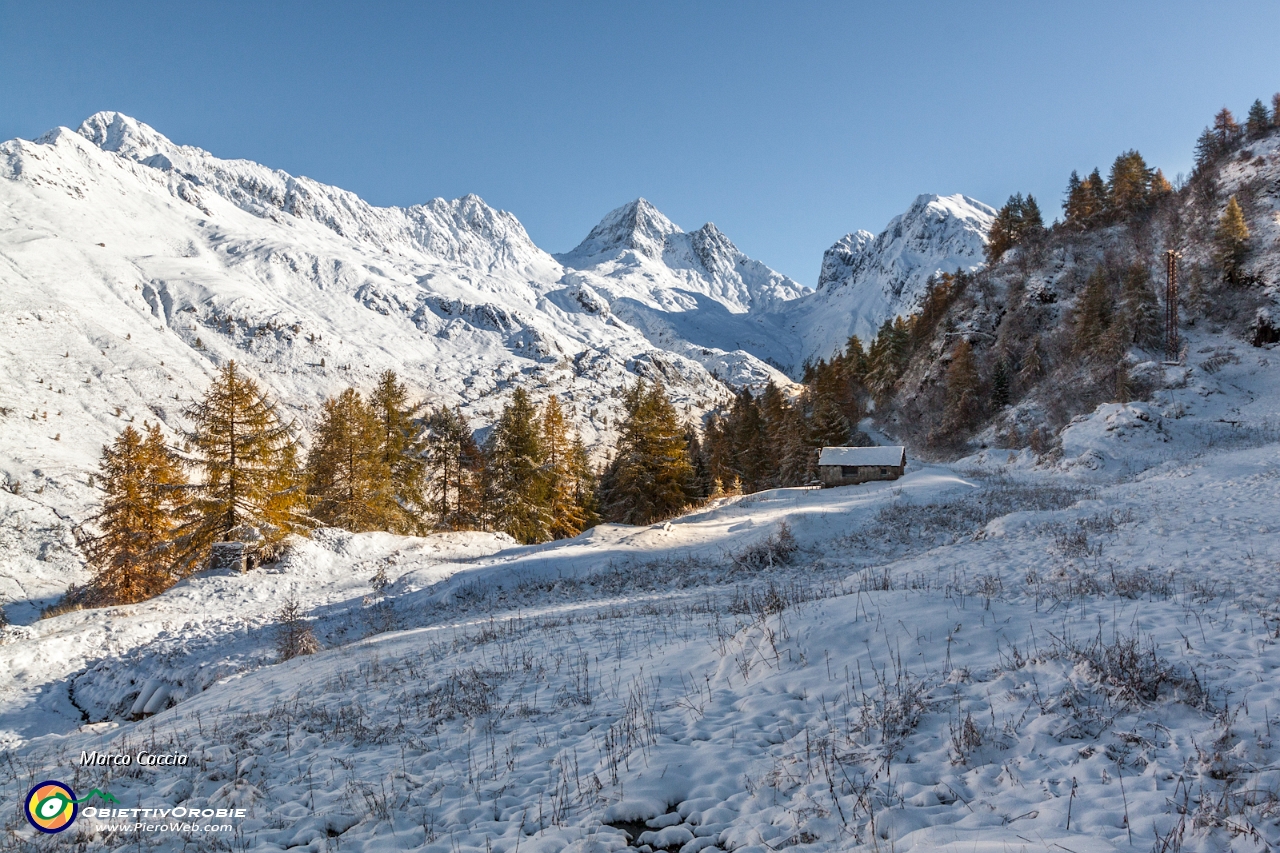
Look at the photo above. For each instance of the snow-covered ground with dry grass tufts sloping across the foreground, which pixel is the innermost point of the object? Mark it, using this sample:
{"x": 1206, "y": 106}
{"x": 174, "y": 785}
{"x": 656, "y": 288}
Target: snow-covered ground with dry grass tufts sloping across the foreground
{"x": 1072, "y": 654}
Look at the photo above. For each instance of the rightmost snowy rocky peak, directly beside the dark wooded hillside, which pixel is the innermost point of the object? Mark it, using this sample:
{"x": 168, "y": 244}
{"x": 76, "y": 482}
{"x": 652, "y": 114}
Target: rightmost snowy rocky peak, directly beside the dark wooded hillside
{"x": 867, "y": 280}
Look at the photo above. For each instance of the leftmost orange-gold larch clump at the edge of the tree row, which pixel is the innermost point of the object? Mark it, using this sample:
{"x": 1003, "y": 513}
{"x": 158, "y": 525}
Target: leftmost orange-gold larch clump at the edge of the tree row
{"x": 144, "y": 485}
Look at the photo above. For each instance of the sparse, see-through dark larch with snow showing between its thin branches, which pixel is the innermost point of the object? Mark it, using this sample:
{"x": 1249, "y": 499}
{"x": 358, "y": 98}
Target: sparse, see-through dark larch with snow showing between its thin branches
{"x": 455, "y": 462}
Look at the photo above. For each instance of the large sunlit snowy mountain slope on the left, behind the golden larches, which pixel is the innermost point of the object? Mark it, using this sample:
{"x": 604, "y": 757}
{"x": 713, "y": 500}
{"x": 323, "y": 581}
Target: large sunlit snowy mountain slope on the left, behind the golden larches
{"x": 132, "y": 268}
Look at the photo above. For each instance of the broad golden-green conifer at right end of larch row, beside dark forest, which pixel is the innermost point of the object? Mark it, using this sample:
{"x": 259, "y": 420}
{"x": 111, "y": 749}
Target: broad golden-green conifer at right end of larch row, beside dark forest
{"x": 651, "y": 476}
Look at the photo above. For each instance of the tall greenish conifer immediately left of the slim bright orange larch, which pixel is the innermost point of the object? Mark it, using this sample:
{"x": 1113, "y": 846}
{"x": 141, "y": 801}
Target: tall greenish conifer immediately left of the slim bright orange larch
{"x": 516, "y": 482}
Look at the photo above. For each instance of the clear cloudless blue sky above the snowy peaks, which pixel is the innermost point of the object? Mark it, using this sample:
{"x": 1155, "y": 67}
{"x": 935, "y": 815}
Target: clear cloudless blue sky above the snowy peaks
{"x": 785, "y": 124}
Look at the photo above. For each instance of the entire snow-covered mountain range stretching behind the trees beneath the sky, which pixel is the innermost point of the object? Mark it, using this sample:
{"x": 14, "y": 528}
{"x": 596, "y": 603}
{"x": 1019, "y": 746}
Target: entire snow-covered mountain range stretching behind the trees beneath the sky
{"x": 134, "y": 267}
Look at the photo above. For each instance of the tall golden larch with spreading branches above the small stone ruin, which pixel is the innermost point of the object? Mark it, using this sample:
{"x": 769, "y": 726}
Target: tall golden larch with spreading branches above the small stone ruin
{"x": 250, "y": 486}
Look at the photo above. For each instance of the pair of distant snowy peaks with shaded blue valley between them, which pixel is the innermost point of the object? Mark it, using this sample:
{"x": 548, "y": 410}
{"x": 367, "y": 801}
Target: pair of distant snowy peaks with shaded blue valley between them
{"x": 698, "y": 295}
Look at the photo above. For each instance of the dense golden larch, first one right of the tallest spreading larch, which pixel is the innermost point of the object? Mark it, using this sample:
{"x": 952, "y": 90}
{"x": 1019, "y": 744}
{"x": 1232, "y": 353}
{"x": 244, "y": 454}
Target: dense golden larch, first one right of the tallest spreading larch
{"x": 349, "y": 480}
